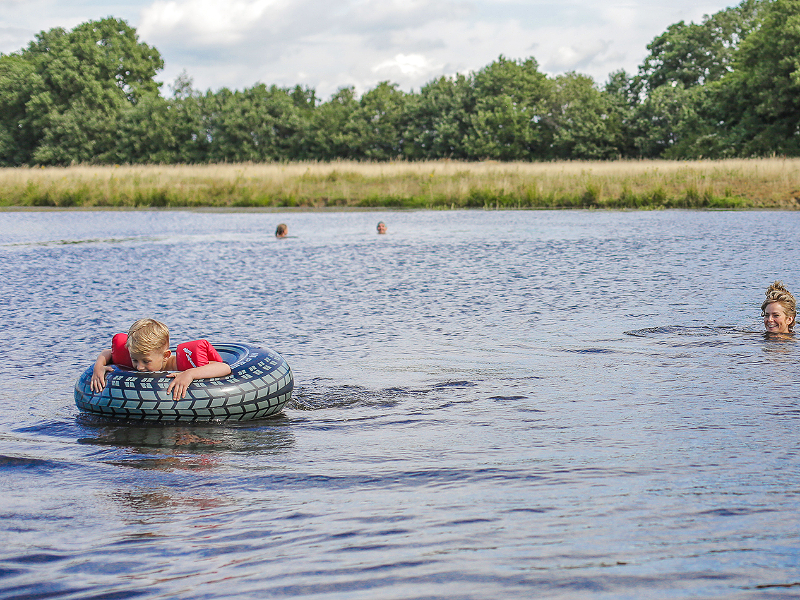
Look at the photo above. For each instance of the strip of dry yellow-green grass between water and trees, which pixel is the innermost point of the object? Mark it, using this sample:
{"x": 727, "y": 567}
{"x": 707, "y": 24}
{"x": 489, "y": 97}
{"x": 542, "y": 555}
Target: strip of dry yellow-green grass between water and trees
{"x": 756, "y": 183}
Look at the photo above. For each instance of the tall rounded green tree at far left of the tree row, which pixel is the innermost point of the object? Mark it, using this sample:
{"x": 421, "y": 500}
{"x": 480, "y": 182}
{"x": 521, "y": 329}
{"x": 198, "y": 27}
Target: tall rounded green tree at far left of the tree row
{"x": 79, "y": 84}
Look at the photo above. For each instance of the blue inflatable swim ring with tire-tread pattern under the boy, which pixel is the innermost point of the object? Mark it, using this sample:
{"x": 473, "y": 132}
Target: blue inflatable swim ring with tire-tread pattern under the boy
{"x": 260, "y": 385}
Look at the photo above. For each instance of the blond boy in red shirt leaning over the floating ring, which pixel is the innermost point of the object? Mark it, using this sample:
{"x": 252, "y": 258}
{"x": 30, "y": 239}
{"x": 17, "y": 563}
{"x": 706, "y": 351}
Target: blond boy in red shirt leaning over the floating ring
{"x": 146, "y": 348}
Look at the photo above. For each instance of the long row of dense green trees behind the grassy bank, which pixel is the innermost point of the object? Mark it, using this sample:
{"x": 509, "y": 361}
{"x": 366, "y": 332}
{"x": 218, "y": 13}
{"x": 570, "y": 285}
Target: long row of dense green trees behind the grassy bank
{"x": 726, "y": 87}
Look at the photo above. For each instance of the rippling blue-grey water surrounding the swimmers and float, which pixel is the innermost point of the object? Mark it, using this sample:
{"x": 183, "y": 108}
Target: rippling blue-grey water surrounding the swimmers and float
{"x": 487, "y": 405}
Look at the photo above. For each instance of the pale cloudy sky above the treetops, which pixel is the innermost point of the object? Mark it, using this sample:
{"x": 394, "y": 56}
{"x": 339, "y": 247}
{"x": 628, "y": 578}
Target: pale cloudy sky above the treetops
{"x": 329, "y": 44}
